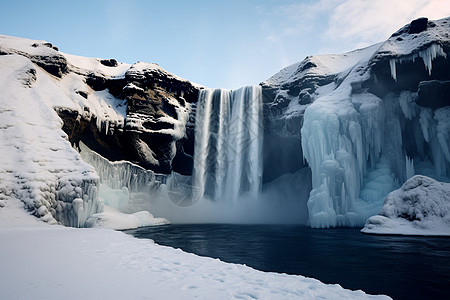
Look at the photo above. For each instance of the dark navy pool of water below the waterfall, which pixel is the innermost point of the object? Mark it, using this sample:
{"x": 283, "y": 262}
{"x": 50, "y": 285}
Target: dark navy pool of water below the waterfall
{"x": 401, "y": 267}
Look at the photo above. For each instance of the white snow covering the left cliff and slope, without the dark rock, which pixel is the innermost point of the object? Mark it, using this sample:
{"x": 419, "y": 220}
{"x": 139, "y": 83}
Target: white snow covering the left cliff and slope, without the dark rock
{"x": 38, "y": 164}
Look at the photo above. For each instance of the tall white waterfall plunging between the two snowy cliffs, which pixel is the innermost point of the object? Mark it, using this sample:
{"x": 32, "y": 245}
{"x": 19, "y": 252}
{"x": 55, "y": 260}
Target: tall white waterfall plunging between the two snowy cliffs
{"x": 228, "y": 143}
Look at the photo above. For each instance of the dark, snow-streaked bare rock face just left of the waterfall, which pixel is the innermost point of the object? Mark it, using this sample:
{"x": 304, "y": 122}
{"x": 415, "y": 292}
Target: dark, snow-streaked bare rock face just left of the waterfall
{"x": 148, "y": 137}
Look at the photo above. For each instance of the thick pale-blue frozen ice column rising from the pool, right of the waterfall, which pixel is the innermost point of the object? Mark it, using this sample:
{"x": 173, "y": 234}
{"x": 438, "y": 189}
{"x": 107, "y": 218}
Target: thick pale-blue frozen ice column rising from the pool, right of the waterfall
{"x": 342, "y": 139}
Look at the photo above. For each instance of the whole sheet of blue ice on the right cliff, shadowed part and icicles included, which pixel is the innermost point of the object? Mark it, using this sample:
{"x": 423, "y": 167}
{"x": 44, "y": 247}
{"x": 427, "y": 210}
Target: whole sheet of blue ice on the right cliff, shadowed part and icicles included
{"x": 360, "y": 147}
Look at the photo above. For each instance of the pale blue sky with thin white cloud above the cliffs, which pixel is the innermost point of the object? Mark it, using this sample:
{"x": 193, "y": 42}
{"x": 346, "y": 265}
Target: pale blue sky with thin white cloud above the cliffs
{"x": 225, "y": 44}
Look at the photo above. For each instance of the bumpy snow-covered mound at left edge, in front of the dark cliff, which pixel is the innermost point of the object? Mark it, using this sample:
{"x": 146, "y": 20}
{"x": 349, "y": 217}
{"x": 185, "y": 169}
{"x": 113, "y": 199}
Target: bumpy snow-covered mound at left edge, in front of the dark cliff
{"x": 39, "y": 166}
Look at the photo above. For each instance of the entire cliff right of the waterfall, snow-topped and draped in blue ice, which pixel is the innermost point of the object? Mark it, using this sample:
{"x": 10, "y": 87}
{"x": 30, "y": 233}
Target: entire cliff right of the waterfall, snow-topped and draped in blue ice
{"x": 369, "y": 119}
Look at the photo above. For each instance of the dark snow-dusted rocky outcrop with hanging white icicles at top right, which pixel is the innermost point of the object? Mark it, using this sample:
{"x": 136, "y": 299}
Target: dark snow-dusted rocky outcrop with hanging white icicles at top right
{"x": 415, "y": 53}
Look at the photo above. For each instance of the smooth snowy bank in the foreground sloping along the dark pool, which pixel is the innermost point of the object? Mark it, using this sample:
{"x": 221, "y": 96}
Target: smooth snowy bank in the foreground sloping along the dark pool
{"x": 41, "y": 261}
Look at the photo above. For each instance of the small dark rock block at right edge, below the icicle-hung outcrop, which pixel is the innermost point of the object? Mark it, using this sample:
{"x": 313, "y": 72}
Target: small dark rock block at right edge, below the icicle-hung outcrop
{"x": 434, "y": 94}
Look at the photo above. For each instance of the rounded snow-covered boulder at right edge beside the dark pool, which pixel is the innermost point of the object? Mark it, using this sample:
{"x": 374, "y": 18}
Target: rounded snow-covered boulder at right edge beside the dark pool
{"x": 420, "y": 207}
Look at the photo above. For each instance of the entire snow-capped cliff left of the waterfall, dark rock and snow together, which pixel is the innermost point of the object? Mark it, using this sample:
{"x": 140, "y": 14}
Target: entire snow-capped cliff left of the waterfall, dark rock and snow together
{"x": 50, "y": 100}
